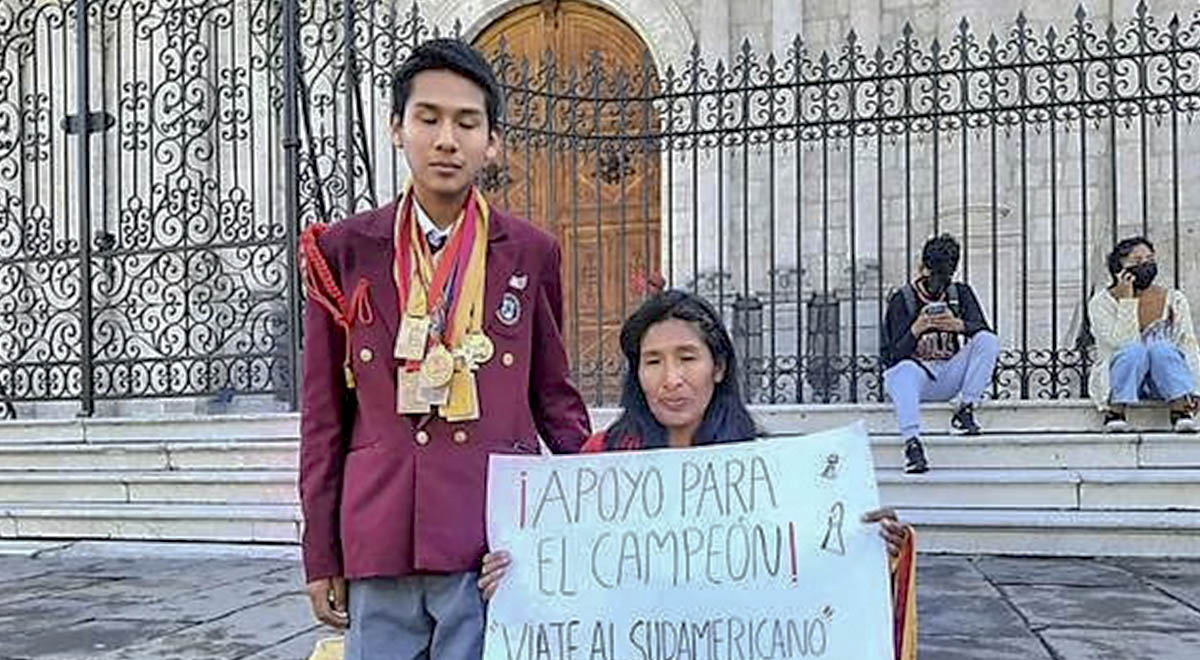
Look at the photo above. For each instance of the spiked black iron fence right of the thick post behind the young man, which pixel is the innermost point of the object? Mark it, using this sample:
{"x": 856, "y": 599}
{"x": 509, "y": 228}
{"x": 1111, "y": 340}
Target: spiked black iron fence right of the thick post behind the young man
{"x": 795, "y": 190}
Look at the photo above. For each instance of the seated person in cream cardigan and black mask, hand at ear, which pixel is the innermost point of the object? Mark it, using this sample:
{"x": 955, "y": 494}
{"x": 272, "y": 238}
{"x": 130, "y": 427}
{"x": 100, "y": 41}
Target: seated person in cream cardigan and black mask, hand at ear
{"x": 1145, "y": 341}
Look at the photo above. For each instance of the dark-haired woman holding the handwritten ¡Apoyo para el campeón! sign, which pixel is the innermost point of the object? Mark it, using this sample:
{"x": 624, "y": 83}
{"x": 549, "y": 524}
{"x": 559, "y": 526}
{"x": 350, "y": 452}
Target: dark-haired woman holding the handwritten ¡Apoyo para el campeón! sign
{"x": 682, "y": 389}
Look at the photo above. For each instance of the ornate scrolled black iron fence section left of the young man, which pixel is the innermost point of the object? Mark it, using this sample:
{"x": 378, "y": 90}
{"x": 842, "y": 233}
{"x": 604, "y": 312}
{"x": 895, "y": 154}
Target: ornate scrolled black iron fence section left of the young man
{"x": 143, "y": 244}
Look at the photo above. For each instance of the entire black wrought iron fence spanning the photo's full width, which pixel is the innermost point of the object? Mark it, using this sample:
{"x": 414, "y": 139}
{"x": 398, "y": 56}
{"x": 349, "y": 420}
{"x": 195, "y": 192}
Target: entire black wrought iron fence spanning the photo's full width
{"x": 154, "y": 155}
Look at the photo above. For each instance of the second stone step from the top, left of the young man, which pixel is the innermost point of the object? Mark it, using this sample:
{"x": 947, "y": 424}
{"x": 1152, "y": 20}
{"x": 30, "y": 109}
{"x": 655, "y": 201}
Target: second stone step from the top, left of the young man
{"x": 196, "y": 455}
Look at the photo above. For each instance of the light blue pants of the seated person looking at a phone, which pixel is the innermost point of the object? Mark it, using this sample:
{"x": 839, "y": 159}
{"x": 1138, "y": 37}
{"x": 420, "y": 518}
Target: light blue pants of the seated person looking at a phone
{"x": 964, "y": 376}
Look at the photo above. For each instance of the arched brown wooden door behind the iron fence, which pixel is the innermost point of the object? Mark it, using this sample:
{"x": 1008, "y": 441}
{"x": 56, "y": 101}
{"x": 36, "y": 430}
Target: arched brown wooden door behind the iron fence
{"x": 597, "y": 185}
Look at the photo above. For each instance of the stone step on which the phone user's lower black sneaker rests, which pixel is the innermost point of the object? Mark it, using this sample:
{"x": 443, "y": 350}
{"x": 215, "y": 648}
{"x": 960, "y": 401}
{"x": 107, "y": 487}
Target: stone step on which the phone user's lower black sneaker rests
{"x": 1088, "y": 490}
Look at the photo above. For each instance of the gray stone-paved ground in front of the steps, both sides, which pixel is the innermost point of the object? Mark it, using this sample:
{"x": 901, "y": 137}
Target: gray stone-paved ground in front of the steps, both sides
{"x": 971, "y": 609}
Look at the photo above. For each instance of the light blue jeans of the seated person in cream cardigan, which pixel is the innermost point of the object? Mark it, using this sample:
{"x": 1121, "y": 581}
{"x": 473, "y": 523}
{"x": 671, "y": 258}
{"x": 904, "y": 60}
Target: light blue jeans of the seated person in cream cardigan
{"x": 1150, "y": 371}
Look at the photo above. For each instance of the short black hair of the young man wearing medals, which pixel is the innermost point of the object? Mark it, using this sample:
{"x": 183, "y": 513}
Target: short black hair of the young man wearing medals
{"x": 449, "y": 55}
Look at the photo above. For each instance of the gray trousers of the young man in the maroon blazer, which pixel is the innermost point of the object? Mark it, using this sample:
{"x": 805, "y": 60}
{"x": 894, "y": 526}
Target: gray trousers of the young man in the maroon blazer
{"x": 421, "y": 617}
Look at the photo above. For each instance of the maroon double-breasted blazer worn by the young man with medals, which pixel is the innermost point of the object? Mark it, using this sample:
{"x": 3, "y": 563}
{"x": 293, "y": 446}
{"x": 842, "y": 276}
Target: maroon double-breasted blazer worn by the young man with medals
{"x": 389, "y": 495}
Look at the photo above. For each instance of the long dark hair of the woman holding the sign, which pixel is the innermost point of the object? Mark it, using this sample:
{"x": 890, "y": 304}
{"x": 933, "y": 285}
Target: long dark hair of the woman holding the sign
{"x": 727, "y": 419}
